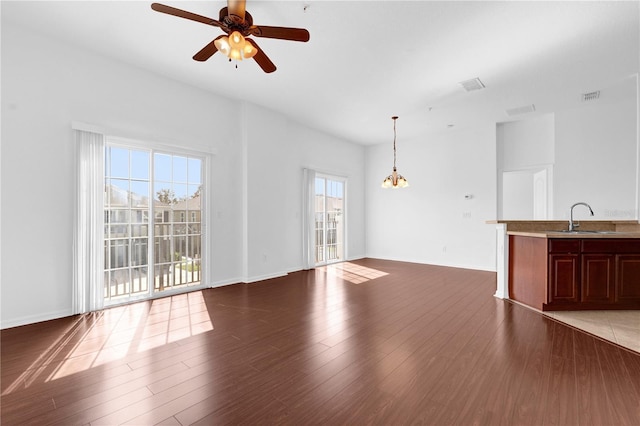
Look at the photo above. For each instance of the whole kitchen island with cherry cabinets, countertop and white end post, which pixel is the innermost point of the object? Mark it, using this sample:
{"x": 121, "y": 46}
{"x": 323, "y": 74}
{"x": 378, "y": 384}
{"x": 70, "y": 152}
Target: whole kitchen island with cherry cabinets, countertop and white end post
{"x": 547, "y": 268}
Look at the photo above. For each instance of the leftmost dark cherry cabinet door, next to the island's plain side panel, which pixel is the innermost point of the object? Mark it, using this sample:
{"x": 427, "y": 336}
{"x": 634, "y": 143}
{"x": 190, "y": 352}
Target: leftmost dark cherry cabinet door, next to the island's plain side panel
{"x": 563, "y": 278}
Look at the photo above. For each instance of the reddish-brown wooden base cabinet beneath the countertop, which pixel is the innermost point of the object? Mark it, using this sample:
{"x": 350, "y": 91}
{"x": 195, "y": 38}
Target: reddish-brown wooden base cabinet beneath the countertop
{"x": 575, "y": 273}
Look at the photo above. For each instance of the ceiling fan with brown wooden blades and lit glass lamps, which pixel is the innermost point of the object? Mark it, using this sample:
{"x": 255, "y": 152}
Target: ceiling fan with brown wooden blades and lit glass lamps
{"x": 237, "y": 23}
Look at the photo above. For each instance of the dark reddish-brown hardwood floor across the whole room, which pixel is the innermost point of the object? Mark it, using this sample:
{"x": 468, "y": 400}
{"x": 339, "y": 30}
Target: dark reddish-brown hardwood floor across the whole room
{"x": 365, "y": 342}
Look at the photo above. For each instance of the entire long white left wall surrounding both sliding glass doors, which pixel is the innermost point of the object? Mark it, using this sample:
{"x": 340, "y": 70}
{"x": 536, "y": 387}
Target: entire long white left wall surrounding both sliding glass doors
{"x": 43, "y": 93}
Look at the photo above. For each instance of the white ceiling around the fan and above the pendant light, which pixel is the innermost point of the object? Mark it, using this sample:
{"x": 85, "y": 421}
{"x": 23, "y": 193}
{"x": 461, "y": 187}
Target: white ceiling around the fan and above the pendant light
{"x": 369, "y": 60}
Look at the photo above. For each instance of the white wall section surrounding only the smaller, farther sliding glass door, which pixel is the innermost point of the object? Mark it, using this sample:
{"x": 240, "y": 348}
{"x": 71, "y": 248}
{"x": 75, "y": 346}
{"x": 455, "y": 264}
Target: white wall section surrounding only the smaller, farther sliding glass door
{"x": 278, "y": 150}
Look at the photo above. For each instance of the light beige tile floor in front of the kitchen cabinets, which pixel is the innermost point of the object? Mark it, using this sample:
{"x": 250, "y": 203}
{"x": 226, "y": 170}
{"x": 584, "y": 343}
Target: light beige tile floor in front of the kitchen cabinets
{"x": 621, "y": 327}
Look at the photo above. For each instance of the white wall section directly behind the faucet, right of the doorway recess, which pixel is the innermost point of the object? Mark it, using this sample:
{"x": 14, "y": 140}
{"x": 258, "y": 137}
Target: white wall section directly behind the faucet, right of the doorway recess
{"x": 596, "y": 156}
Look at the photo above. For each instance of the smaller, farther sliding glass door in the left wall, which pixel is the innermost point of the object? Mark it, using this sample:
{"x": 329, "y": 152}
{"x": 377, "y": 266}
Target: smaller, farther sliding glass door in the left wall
{"x": 329, "y": 219}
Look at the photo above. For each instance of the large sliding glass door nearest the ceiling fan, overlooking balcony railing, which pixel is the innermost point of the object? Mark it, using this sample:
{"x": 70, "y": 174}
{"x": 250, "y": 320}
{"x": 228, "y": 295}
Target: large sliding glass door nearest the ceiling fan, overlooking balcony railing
{"x": 152, "y": 222}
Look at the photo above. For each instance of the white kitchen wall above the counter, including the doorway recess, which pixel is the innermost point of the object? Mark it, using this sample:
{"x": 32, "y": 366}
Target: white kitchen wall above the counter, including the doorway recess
{"x": 591, "y": 152}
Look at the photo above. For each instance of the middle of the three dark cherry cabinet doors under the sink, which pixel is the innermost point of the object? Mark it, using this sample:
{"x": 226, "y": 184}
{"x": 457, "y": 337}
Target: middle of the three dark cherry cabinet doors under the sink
{"x": 597, "y": 278}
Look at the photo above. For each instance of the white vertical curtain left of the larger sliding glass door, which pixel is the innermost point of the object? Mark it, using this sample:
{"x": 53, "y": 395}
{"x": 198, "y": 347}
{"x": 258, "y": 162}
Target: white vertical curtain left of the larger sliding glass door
{"x": 88, "y": 275}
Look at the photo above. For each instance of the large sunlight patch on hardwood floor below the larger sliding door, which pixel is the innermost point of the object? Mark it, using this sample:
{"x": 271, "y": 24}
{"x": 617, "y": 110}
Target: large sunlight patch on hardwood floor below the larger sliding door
{"x": 99, "y": 338}
